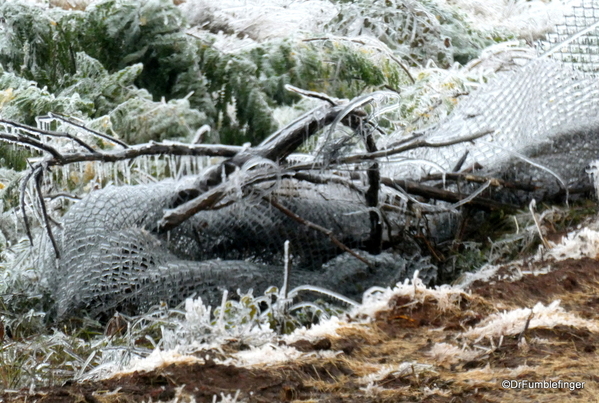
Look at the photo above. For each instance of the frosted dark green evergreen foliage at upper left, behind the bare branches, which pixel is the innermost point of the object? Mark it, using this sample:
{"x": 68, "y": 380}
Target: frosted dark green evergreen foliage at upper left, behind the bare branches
{"x": 121, "y": 58}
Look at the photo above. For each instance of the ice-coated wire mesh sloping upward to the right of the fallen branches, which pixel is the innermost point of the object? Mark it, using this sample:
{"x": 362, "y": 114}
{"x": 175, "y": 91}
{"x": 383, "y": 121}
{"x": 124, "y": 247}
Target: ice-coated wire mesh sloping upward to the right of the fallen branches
{"x": 529, "y": 114}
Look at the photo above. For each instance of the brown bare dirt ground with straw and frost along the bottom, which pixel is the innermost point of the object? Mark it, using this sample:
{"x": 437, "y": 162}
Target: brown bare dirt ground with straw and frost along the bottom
{"x": 406, "y": 332}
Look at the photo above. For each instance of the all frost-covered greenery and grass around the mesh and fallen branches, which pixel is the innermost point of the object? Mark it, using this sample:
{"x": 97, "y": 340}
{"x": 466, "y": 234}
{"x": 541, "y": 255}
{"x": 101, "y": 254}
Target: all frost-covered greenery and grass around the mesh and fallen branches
{"x": 216, "y": 72}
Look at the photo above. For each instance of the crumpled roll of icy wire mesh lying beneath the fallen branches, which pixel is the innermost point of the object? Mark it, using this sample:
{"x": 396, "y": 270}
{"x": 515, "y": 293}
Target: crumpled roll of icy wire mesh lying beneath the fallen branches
{"x": 111, "y": 260}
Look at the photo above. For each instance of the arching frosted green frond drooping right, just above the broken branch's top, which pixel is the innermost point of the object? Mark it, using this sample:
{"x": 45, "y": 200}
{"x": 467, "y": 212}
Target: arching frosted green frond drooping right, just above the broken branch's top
{"x": 253, "y": 81}
